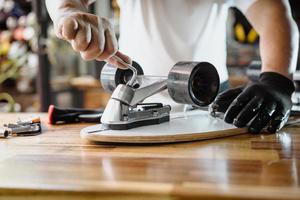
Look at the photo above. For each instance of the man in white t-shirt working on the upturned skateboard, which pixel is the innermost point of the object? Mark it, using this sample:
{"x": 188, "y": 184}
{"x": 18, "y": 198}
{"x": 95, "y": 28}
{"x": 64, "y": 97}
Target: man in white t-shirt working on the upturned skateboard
{"x": 159, "y": 33}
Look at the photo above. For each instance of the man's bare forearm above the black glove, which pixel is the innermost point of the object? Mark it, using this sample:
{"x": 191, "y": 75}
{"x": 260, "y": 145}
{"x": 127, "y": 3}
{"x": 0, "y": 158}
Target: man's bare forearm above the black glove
{"x": 278, "y": 35}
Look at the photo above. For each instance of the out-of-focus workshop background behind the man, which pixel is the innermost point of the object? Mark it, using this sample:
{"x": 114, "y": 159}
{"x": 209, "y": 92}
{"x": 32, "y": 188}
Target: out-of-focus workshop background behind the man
{"x": 37, "y": 69}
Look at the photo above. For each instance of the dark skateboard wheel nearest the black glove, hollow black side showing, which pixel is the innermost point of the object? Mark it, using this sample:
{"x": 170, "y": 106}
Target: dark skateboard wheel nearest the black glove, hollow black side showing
{"x": 194, "y": 83}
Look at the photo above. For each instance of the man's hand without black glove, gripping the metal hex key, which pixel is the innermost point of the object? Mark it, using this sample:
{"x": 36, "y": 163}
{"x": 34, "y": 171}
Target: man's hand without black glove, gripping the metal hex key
{"x": 90, "y": 35}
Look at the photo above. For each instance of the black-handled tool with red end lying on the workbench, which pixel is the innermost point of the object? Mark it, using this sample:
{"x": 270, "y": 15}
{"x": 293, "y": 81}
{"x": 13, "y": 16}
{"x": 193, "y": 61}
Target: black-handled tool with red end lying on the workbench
{"x": 57, "y": 115}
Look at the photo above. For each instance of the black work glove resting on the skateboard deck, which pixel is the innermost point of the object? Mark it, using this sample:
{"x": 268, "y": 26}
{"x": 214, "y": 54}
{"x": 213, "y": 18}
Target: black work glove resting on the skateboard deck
{"x": 266, "y": 103}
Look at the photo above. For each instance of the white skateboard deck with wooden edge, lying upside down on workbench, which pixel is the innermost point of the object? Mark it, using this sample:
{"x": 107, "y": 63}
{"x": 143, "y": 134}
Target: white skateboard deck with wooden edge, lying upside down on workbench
{"x": 182, "y": 127}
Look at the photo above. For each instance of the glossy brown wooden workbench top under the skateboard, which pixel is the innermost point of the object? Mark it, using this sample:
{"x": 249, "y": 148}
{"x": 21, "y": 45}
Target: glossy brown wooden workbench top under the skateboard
{"x": 59, "y": 164}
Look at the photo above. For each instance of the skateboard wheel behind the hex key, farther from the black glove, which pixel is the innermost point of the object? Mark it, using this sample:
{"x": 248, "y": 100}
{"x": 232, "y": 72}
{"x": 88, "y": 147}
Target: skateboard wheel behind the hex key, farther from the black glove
{"x": 112, "y": 76}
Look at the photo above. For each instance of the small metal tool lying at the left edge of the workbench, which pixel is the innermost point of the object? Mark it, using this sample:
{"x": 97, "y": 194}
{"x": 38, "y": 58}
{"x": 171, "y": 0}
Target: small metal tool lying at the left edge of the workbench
{"x": 28, "y": 127}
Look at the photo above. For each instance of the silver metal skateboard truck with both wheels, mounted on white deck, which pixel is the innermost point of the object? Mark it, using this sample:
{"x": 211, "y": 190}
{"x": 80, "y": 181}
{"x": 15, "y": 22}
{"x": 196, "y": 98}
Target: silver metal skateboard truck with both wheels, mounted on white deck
{"x": 194, "y": 83}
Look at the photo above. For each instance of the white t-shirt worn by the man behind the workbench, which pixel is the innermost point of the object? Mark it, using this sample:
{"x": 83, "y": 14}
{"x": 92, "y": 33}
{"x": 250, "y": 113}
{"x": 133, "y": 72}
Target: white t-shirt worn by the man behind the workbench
{"x": 159, "y": 33}
